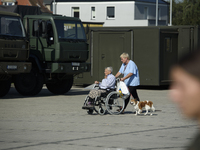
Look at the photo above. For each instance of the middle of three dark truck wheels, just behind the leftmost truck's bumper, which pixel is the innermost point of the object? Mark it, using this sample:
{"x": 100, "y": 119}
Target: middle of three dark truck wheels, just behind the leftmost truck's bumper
{"x": 29, "y": 84}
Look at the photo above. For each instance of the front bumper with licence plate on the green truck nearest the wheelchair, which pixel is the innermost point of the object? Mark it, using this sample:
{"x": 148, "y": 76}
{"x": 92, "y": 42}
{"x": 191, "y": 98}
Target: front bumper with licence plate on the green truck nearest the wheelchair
{"x": 68, "y": 68}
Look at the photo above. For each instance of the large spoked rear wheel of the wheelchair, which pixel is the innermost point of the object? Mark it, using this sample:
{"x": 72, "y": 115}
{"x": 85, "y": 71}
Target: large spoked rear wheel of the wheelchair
{"x": 114, "y": 103}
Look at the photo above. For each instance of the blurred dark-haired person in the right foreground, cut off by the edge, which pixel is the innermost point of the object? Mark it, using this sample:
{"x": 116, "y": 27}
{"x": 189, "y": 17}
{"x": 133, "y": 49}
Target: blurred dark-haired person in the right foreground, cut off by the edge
{"x": 185, "y": 90}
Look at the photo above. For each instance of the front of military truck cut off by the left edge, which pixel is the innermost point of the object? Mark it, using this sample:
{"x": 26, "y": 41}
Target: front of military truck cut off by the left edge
{"x": 14, "y": 50}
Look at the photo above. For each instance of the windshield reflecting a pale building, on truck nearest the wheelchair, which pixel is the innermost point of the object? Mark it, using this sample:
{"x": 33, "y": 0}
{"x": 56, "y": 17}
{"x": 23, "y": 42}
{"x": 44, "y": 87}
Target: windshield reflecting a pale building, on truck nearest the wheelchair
{"x": 70, "y": 30}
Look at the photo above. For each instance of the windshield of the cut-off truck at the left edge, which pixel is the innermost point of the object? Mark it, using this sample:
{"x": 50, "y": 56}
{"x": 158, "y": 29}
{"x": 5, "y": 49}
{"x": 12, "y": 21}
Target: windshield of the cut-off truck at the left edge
{"x": 11, "y": 26}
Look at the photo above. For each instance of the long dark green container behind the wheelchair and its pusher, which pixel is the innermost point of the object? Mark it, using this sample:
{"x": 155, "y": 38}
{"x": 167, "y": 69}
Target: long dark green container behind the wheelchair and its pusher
{"x": 153, "y": 49}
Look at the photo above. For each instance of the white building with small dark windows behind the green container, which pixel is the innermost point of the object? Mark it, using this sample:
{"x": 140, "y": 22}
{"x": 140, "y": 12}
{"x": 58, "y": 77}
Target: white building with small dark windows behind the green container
{"x": 115, "y": 12}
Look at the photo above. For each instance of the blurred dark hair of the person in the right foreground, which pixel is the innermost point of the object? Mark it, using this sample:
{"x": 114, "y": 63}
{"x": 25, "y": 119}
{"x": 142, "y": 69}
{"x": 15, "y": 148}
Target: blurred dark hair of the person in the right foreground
{"x": 191, "y": 63}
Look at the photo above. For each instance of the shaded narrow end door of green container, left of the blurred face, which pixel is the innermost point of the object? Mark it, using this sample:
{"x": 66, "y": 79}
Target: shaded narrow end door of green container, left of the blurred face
{"x": 169, "y": 54}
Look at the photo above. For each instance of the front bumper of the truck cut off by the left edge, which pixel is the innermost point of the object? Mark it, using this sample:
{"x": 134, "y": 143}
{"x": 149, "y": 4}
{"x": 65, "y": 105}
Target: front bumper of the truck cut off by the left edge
{"x": 15, "y": 67}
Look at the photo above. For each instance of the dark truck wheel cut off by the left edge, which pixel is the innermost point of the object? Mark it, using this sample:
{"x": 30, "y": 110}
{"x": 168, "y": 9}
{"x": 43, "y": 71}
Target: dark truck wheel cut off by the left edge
{"x": 4, "y": 87}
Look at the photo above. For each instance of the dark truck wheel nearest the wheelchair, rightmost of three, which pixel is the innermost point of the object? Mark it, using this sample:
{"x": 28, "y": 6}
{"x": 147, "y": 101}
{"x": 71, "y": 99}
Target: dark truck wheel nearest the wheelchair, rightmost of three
{"x": 61, "y": 86}
